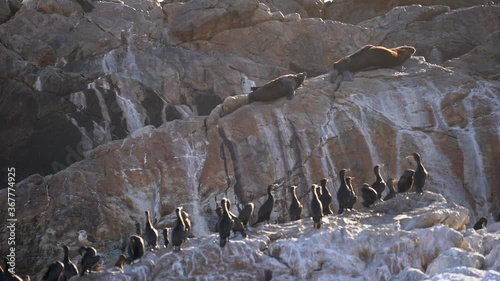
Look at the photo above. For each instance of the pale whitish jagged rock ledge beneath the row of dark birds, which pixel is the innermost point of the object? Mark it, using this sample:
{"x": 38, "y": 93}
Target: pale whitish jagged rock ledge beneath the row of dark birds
{"x": 421, "y": 235}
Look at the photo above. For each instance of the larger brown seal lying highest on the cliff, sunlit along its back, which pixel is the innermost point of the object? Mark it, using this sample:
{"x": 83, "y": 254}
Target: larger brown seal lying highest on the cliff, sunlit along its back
{"x": 371, "y": 57}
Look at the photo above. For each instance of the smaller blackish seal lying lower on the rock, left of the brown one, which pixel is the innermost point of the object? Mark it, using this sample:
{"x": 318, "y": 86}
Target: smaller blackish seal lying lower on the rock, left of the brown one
{"x": 283, "y": 86}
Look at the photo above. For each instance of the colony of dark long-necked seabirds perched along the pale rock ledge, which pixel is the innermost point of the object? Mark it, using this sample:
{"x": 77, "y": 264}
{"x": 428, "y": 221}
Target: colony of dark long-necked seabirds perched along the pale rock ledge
{"x": 228, "y": 221}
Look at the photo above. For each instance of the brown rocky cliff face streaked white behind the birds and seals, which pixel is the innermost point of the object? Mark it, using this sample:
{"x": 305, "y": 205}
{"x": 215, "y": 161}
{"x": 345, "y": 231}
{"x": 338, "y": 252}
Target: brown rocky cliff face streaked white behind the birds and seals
{"x": 139, "y": 105}
